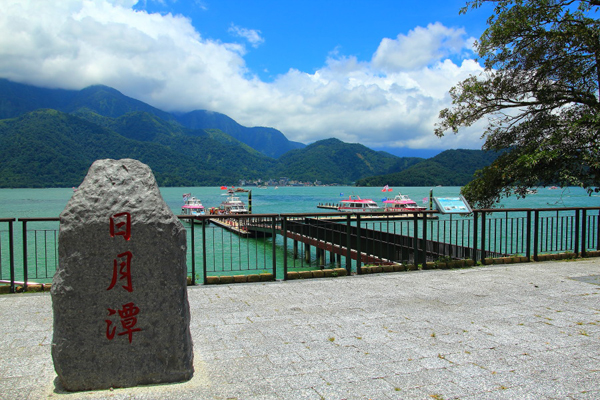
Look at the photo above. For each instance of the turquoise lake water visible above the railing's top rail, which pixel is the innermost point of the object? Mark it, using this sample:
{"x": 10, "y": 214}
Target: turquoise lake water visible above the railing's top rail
{"x": 33, "y": 203}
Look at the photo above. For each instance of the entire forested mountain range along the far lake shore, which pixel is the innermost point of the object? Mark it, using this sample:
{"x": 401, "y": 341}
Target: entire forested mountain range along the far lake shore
{"x": 50, "y": 137}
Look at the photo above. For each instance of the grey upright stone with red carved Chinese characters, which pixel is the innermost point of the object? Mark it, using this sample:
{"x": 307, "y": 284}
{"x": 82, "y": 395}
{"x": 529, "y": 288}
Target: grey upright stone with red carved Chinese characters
{"x": 119, "y": 295}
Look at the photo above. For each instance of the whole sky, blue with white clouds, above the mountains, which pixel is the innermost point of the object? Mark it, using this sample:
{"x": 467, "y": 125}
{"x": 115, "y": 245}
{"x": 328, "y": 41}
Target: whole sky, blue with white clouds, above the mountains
{"x": 369, "y": 72}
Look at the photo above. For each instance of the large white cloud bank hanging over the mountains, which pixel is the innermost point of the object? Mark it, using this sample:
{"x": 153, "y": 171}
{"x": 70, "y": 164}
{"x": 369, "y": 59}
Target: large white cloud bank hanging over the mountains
{"x": 391, "y": 100}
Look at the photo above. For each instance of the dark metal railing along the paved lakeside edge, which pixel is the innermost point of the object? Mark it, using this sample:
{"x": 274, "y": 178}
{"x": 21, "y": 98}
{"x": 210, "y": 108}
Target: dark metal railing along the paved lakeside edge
{"x": 257, "y": 247}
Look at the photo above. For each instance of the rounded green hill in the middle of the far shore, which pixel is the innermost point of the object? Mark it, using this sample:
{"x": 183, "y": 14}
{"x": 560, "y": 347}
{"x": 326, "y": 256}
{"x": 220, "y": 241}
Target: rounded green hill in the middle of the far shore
{"x": 328, "y": 160}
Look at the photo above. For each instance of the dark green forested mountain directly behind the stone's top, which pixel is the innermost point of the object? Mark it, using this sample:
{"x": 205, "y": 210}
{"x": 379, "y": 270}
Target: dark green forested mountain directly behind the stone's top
{"x": 48, "y": 148}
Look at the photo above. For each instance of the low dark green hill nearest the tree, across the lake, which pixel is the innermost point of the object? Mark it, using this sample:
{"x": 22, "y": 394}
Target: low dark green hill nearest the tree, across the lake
{"x": 449, "y": 168}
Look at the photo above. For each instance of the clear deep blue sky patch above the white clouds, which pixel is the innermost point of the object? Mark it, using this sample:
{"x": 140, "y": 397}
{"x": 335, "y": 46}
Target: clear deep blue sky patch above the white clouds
{"x": 302, "y": 34}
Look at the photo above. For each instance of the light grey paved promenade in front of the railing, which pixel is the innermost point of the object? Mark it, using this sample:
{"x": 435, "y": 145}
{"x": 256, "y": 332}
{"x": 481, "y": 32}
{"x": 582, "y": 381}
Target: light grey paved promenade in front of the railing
{"x": 517, "y": 331}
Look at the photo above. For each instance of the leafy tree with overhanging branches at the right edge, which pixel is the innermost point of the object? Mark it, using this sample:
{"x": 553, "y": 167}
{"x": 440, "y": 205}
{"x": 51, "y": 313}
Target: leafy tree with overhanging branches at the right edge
{"x": 539, "y": 93}
